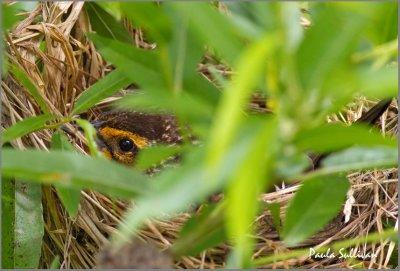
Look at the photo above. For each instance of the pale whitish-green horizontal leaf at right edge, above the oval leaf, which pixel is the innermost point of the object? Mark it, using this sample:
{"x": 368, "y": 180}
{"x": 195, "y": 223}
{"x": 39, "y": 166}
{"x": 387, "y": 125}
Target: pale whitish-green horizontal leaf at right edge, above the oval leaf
{"x": 359, "y": 158}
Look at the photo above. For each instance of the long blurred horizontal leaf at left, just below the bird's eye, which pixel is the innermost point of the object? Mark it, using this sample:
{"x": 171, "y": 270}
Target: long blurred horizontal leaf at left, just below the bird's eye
{"x": 72, "y": 170}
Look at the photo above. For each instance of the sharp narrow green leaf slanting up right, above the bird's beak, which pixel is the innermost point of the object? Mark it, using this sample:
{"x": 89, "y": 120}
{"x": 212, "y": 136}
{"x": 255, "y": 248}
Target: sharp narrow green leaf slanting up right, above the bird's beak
{"x": 105, "y": 87}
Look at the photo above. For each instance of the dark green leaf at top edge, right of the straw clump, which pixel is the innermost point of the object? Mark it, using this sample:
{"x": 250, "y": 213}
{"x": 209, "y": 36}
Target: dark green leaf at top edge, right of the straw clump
{"x": 105, "y": 24}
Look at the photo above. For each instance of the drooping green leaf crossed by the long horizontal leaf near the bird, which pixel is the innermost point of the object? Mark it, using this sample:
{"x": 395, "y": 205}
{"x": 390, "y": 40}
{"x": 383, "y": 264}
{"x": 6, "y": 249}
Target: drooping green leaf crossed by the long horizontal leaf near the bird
{"x": 69, "y": 197}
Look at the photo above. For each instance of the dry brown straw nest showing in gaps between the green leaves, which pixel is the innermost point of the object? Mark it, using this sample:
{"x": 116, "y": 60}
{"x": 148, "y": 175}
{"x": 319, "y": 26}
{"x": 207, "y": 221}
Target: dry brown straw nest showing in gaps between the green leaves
{"x": 68, "y": 66}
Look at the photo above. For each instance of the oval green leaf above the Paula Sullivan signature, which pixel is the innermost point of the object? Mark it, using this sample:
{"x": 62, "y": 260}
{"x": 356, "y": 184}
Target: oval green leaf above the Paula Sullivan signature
{"x": 313, "y": 206}
